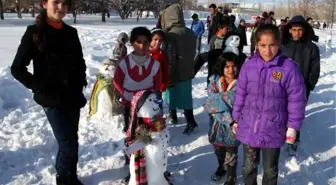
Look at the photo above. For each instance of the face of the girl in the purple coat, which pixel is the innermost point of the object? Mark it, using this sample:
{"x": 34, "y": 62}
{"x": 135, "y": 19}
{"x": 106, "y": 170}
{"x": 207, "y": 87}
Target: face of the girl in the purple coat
{"x": 268, "y": 47}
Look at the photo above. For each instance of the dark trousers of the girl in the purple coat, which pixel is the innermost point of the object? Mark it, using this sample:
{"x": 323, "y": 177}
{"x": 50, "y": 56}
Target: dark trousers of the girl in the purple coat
{"x": 270, "y": 163}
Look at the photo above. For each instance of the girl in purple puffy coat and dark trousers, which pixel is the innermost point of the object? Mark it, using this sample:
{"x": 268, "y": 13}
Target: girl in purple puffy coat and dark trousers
{"x": 270, "y": 98}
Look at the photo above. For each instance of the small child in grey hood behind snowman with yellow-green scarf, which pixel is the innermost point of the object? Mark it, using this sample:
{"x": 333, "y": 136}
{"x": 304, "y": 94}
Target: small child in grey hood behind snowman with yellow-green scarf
{"x": 120, "y": 50}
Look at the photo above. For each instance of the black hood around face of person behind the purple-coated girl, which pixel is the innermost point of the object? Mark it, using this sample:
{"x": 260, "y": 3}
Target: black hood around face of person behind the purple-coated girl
{"x": 308, "y": 34}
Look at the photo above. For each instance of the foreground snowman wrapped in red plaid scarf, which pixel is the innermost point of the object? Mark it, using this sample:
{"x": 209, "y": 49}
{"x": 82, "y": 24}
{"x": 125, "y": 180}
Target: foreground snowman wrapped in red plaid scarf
{"x": 147, "y": 138}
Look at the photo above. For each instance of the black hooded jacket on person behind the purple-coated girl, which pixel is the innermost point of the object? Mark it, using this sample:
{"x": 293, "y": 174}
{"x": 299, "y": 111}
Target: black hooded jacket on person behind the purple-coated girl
{"x": 304, "y": 52}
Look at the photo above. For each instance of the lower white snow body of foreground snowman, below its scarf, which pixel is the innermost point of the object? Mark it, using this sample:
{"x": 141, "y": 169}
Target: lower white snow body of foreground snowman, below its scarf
{"x": 156, "y": 159}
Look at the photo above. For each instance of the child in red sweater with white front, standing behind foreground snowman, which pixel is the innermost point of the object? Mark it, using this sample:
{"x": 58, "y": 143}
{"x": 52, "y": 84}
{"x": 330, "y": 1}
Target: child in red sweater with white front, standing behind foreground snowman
{"x": 137, "y": 71}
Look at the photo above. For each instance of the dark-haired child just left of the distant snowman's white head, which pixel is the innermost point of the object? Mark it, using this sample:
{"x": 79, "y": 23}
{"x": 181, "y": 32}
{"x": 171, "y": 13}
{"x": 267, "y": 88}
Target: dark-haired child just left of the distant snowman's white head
{"x": 216, "y": 42}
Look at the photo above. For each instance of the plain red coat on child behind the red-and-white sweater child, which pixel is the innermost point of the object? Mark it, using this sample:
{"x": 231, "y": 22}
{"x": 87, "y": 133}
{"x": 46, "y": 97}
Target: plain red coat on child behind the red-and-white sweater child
{"x": 162, "y": 57}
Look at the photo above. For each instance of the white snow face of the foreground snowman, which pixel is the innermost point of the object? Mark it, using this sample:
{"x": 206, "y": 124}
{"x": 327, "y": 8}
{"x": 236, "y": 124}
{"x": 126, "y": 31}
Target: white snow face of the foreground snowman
{"x": 150, "y": 108}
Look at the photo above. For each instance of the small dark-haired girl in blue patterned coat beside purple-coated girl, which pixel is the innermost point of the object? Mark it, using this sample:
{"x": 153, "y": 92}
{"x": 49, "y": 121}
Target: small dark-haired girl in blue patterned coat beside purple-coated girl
{"x": 221, "y": 92}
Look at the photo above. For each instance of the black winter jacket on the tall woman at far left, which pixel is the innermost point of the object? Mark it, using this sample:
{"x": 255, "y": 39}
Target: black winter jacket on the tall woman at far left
{"x": 59, "y": 70}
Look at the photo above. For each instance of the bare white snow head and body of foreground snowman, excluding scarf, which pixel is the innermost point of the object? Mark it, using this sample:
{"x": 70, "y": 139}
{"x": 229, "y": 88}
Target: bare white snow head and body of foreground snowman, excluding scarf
{"x": 156, "y": 151}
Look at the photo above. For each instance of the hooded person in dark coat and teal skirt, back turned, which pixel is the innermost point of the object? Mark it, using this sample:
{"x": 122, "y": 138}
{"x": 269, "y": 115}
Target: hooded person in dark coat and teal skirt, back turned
{"x": 180, "y": 45}
